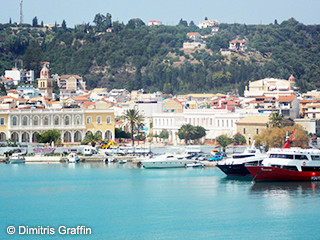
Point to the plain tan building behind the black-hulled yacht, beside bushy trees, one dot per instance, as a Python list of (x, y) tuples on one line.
[(251, 126)]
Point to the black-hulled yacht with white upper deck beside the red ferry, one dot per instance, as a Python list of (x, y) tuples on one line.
[(235, 166)]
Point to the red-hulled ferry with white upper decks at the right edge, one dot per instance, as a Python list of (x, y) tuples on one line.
[(293, 164)]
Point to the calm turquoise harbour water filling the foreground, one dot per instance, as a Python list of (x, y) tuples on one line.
[(126, 202)]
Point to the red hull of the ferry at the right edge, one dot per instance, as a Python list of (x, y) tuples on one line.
[(261, 173)]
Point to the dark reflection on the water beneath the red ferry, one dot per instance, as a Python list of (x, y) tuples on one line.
[(286, 188)]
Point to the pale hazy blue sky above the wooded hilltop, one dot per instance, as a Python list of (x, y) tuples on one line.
[(167, 11)]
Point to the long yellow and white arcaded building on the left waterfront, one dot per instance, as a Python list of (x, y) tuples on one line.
[(21, 125)]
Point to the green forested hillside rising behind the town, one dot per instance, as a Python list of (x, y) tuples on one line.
[(136, 56)]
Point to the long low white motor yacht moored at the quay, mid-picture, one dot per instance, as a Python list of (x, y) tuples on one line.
[(167, 161)]
